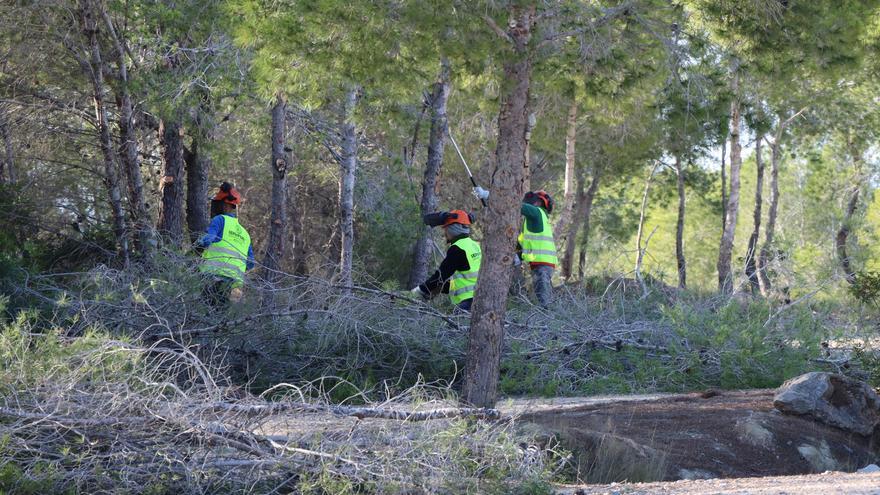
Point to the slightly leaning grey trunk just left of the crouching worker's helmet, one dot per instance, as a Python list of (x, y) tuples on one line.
[(439, 97)]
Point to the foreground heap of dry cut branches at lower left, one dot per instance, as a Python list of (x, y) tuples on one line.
[(105, 416)]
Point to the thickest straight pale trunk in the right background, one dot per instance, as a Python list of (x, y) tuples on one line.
[(725, 251)]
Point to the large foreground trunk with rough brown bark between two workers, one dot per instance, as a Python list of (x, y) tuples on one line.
[(503, 222)]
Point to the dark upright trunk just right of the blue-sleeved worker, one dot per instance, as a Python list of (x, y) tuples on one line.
[(278, 220)]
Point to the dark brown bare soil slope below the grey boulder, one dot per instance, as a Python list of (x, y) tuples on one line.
[(708, 435)]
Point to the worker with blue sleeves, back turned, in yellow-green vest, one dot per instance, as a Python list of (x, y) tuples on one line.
[(227, 251)]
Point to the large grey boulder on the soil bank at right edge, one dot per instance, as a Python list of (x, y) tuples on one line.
[(832, 399)]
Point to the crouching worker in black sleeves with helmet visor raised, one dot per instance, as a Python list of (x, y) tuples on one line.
[(457, 274)]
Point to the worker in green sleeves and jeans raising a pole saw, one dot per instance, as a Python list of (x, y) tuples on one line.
[(536, 243)]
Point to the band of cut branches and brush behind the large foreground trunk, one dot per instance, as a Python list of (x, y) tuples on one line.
[(373, 341)]
